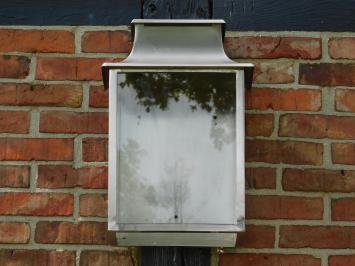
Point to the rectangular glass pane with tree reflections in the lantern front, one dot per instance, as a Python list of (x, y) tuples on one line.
[(176, 148)]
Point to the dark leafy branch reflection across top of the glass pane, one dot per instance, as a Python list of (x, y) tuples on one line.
[(212, 92)]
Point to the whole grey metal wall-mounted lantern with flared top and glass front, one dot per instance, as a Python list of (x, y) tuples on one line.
[(176, 137)]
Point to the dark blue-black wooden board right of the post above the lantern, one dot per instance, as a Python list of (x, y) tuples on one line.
[(279, 15)]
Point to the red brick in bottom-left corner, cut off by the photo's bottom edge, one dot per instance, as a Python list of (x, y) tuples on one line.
[(33, 257)]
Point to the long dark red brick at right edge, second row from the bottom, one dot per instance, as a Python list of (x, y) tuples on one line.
[(304, 236)]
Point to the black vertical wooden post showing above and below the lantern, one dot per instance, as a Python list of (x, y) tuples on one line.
[(176, 9)]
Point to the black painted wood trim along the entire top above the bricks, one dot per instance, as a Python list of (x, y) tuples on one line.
[(266, 15)]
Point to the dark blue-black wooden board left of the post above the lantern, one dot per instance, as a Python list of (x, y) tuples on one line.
[(69, 12)]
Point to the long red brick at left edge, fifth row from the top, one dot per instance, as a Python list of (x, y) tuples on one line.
[(41, 149)]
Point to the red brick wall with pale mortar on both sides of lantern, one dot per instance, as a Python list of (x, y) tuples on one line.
[(300, 203)]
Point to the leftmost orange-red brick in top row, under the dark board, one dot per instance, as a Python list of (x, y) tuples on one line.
[(33, 41)]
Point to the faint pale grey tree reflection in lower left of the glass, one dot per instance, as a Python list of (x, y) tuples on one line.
[(139, 201)]
